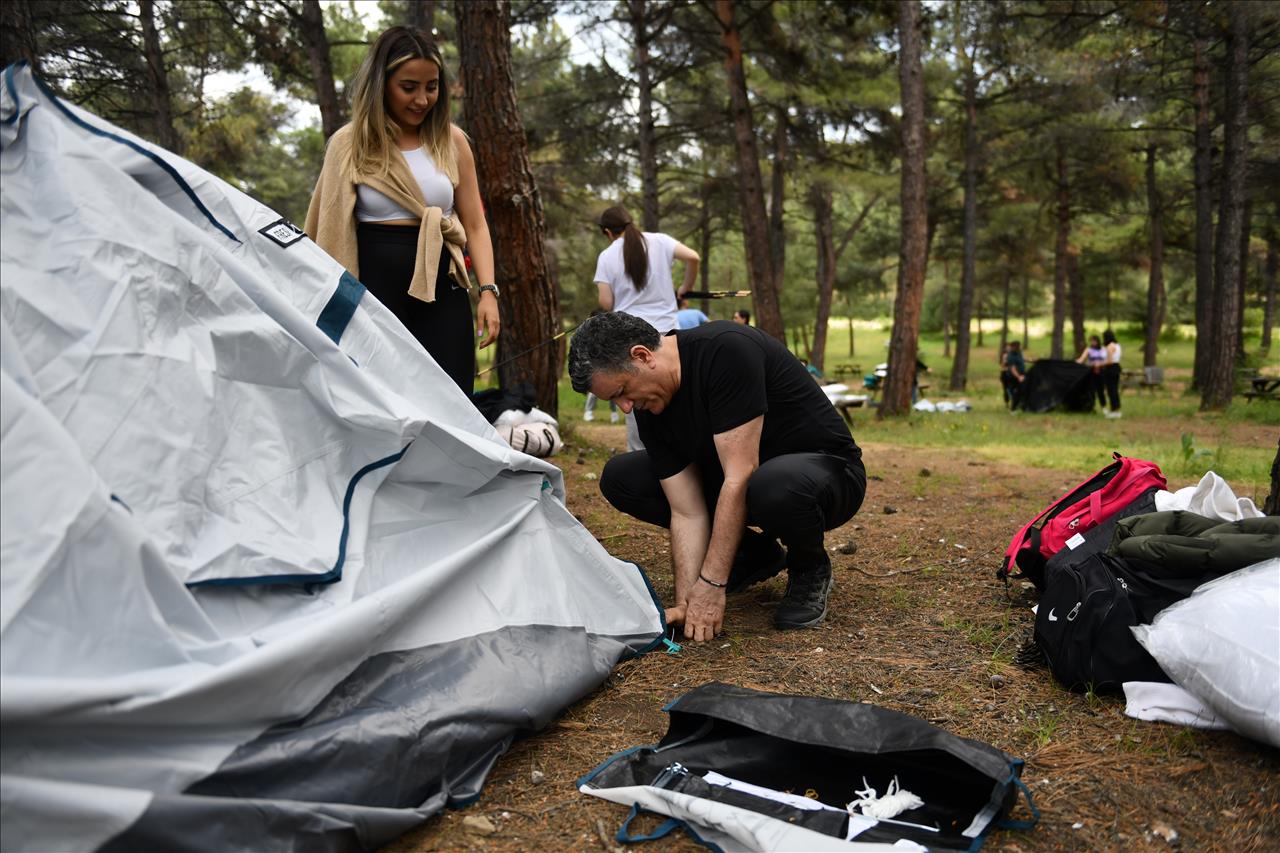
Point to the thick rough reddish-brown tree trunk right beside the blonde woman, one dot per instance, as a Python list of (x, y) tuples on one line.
[(531, 307)]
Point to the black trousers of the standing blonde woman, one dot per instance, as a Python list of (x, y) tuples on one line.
[(444, 327)]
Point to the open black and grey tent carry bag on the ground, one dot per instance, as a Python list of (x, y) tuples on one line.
[(796, 763)]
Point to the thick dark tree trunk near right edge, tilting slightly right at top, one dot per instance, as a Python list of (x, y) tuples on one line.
[(1219, 384)]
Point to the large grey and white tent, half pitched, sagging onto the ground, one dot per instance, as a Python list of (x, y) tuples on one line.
[(269, 580)]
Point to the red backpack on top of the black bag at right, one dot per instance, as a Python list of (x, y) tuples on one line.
[(1082, 509)]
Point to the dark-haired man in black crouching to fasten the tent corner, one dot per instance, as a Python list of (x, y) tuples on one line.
[(737, 436)]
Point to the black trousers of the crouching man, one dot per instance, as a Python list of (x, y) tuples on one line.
[(796, 499)]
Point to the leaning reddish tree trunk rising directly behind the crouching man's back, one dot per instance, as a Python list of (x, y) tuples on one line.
[(756, 231)]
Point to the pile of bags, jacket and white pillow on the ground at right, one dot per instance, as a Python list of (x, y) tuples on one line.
[(1141, 587)]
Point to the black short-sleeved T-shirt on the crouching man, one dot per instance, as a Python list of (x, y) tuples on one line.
[(729, 375)]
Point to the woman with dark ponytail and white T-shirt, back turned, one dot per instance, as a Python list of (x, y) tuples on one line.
[(634, 276)]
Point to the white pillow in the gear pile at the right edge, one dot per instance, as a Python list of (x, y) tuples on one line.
[(1223, 646)]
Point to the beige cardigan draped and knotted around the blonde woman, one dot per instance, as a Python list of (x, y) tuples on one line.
[(332, 217)]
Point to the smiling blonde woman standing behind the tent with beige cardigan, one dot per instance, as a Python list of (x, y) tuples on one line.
[(397, 202)]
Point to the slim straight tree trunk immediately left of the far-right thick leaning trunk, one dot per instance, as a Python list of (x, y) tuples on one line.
[(1204, 171)]
